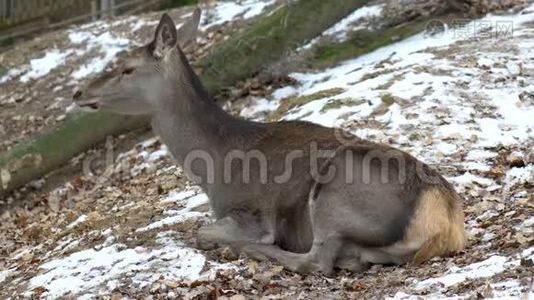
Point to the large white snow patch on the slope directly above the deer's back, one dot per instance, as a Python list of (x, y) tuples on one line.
[(437, 107)]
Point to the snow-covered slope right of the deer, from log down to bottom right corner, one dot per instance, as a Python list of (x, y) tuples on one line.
[(453, 100)]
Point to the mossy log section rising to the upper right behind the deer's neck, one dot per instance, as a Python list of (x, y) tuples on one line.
[(272, 38)]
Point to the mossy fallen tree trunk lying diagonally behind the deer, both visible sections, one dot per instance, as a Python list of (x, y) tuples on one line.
[(243, 55)]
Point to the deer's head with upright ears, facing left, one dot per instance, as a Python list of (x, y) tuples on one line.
[(141, 76)]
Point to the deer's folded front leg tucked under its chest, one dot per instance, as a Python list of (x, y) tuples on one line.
[(228, 230)]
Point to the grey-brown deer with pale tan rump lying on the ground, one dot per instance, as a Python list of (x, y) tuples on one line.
[(295, 192)]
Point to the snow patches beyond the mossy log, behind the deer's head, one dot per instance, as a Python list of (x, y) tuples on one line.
[(98, 37)]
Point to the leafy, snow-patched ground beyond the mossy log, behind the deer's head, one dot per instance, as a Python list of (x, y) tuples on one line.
[(39, 77)]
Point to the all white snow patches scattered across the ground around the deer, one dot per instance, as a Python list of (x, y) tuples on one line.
[(426, 103)]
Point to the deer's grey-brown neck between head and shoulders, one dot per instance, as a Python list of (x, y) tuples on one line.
[(192, 125)]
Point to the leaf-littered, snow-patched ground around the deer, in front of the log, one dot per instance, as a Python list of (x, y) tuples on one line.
[(458, 99)]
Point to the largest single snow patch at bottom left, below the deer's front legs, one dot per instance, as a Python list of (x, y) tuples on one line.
[(89, 270)]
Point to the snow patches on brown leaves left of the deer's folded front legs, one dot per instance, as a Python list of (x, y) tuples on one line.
[(100, 268)]
